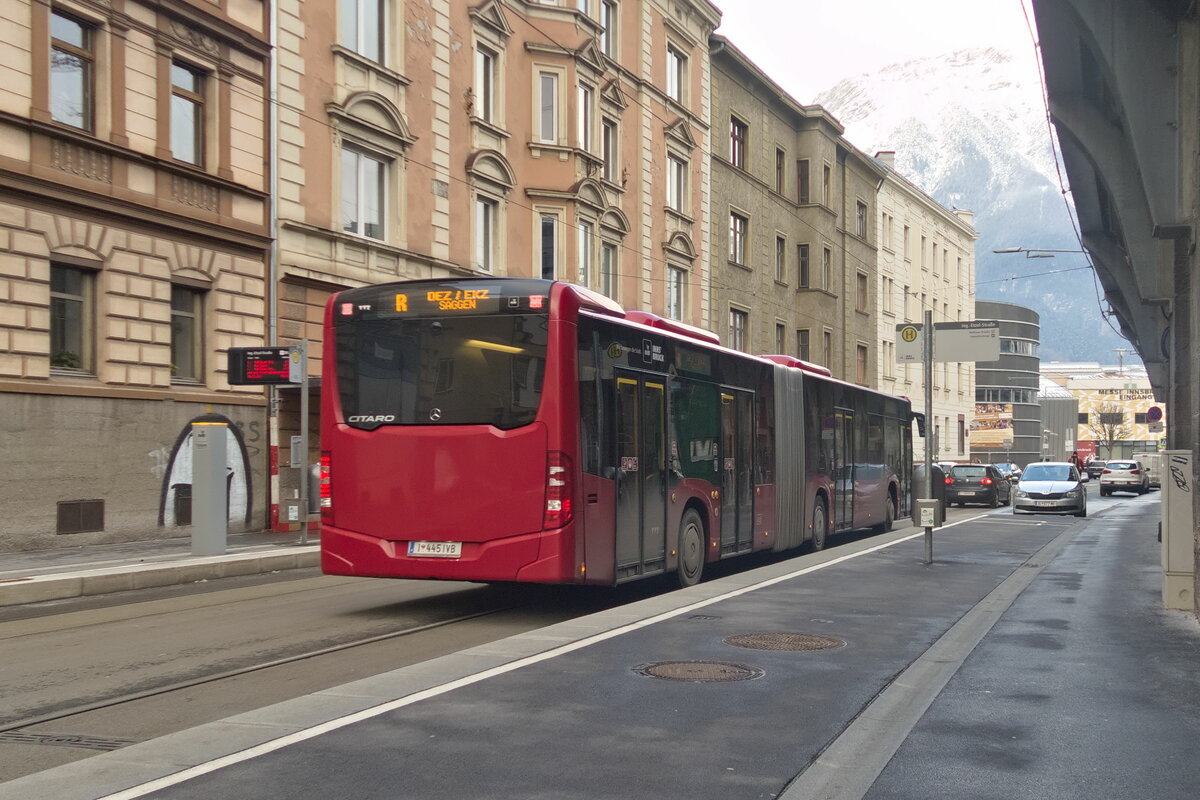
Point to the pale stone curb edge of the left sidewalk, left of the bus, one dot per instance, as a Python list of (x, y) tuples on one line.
[(83, 584)]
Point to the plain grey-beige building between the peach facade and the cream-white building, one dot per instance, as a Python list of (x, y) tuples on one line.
[(794, 242)]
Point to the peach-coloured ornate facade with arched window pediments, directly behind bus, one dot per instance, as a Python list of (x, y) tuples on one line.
[(557, 140)]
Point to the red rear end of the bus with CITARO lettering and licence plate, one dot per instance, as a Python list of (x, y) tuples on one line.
[(436, 460)]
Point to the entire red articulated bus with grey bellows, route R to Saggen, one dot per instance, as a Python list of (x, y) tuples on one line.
[(526, 430)]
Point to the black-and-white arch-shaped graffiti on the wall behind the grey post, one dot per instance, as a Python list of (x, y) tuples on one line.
[(176, 500)]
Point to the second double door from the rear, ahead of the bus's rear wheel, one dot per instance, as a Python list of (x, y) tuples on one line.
[(737, 482)]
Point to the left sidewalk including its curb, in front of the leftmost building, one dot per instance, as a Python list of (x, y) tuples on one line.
[(39, 576)]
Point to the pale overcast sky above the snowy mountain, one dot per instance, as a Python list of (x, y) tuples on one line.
[(808, 46)]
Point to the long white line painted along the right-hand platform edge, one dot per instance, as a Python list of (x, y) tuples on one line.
[(175, 779)]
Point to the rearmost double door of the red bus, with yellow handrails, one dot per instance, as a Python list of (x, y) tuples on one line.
[(641, 477)]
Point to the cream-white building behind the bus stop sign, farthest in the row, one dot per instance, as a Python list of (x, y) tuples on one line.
[(927, 262)]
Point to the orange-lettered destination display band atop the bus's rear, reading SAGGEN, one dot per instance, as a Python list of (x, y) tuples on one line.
[(445, 299)]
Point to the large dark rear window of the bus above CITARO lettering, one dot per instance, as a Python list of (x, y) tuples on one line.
[(472, 370)]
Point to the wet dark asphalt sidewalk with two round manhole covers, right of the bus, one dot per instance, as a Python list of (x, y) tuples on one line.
[(1031, 660)]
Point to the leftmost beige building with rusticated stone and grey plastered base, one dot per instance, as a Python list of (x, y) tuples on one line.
[(134, 239)]
